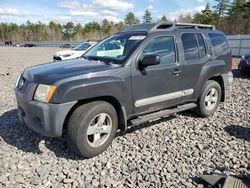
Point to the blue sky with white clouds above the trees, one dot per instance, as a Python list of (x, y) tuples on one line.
[(83, 11)]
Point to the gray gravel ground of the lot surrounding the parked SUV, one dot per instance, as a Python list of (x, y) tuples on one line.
[(167, 153)]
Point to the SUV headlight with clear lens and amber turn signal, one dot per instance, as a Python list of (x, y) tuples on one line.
[(44, 93)]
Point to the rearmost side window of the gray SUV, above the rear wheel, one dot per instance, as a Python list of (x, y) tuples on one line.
[(219, 42)]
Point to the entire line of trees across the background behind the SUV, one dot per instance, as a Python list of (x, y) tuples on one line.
[(229, 17)]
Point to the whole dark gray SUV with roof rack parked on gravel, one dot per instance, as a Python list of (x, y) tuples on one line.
[(143, 73)]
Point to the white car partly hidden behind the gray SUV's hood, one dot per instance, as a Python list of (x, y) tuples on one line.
[(74, 53)]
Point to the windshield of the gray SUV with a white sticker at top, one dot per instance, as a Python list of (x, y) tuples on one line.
[(115, 49)]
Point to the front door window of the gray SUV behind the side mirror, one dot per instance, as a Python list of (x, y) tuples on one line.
[(162, 46)]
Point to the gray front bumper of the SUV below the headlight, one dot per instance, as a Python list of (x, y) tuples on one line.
[(46, 119)]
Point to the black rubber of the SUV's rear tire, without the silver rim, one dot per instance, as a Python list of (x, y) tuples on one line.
[(202, 108)]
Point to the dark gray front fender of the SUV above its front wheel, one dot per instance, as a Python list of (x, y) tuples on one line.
[(96, 85)]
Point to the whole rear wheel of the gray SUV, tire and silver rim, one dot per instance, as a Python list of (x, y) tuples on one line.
[(209, 99)]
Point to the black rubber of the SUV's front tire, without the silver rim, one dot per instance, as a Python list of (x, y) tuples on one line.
[(78, 125)]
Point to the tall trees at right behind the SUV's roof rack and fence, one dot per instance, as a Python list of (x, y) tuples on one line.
[(233, 18)]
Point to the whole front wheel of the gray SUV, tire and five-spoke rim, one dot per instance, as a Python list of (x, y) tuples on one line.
[(92, 128)]
